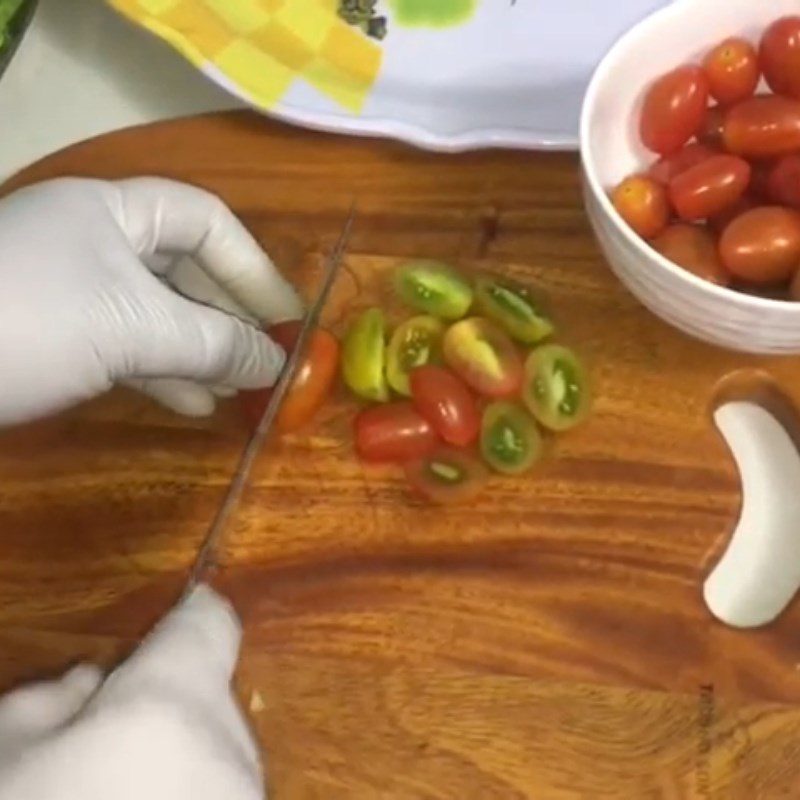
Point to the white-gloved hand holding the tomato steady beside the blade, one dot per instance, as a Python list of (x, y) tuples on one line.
[(84, 300)]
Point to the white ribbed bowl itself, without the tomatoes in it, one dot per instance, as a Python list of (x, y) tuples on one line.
[(610, 150)]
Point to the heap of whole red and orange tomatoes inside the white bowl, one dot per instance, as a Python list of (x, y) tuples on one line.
[(723, 198)]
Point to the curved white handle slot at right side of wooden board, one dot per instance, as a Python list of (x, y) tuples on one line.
[(759, 573)]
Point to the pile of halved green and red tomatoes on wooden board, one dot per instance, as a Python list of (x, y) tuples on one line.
[(464, 386)]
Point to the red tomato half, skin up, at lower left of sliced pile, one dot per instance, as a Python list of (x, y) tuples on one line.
[(392, 432)]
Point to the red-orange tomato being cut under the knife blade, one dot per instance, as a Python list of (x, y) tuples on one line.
[(312, 382)]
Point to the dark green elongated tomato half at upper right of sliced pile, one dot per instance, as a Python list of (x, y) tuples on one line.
[(513, 307)]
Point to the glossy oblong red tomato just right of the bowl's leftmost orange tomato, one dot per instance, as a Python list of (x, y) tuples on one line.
[(709, 187)]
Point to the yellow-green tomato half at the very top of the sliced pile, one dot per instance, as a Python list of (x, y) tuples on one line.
[(435, 288)]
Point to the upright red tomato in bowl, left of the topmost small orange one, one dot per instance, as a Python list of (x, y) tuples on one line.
[(673, 109)]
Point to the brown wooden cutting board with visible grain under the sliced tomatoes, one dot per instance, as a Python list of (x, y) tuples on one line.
[(548, 641)]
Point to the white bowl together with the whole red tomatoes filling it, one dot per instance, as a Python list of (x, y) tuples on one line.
[(690, 150)]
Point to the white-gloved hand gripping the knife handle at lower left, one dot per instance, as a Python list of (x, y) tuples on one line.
[(164, 726)]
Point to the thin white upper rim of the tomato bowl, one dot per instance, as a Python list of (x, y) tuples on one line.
[(599, 77)]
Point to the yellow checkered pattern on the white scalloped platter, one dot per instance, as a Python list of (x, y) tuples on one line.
[(263, 46)]
